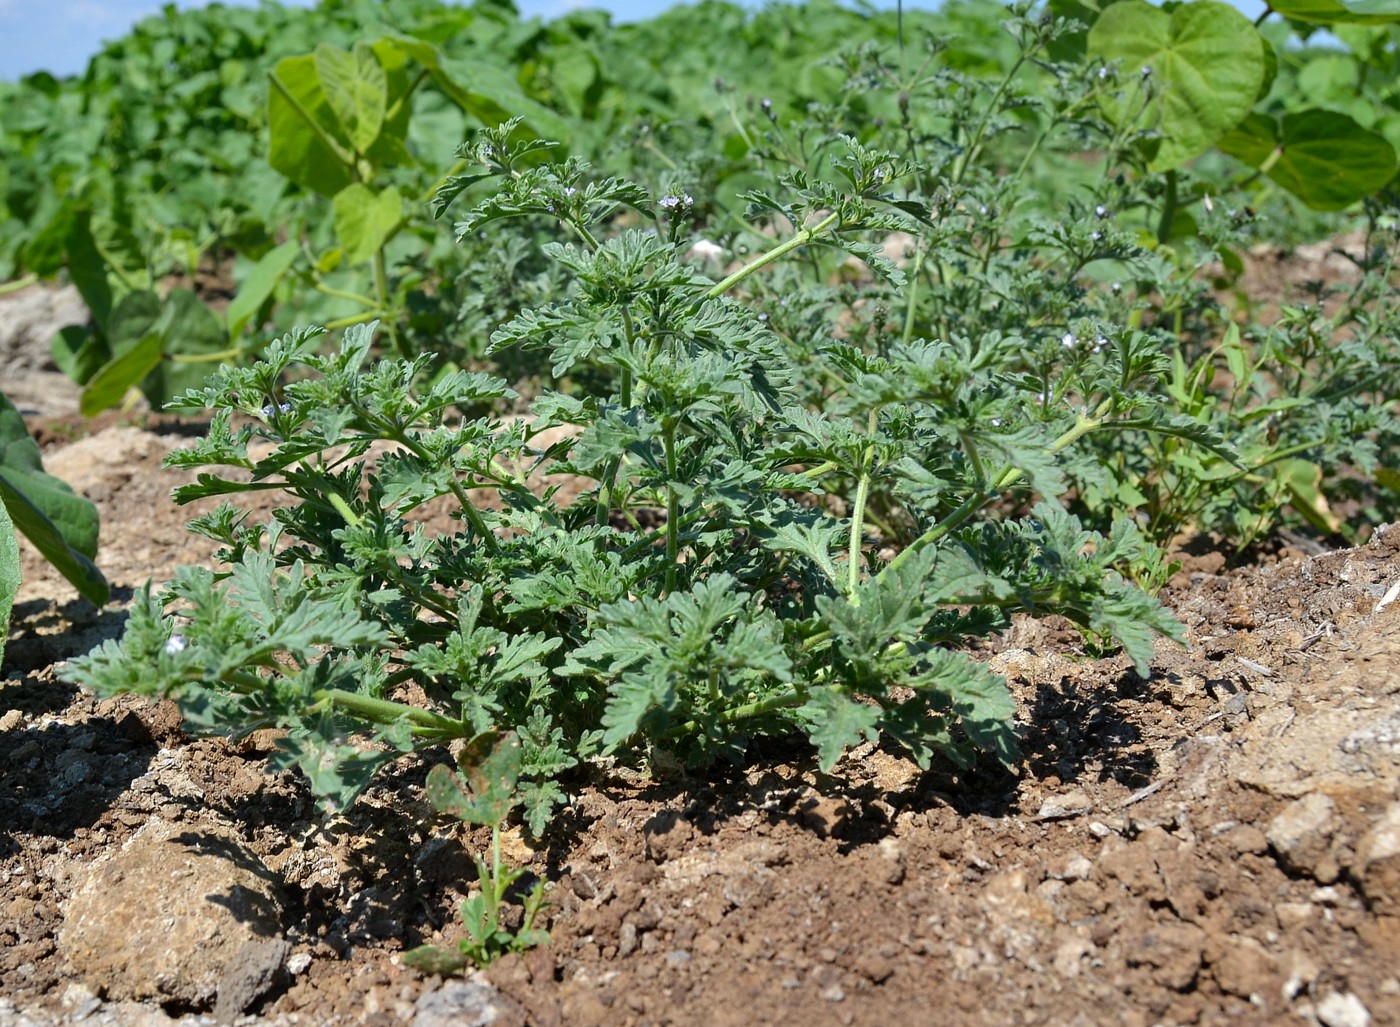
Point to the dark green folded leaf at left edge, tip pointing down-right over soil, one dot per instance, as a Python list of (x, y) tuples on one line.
[(64, 527)]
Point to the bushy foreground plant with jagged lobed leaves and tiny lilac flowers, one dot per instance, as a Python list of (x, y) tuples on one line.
[(688, 601)]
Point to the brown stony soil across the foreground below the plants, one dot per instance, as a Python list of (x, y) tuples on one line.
[(1217, 843)]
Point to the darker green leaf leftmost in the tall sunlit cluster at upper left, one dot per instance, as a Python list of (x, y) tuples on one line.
[(304, 129)]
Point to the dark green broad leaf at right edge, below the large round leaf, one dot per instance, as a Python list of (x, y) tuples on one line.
[(1322, 157)]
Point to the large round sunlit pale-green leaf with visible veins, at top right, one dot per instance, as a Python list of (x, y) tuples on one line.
[(1205, 68)]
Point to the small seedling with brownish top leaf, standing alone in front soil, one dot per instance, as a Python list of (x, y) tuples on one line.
[(492, 766)]
